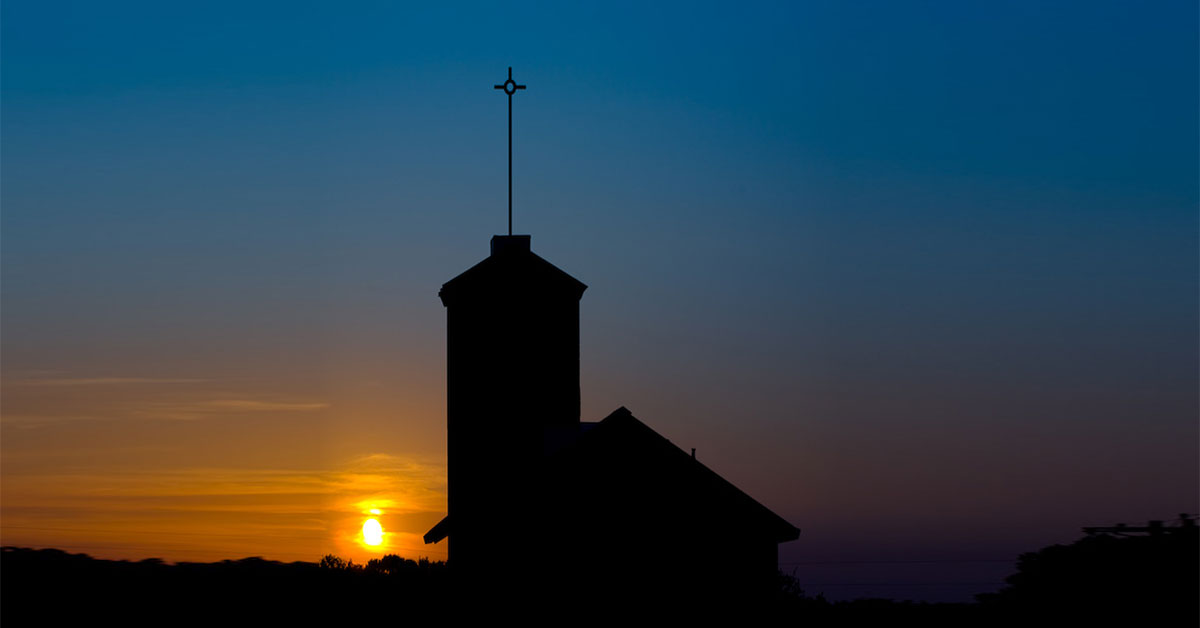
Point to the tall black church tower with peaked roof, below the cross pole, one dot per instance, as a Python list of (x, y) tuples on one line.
[(513, 382)]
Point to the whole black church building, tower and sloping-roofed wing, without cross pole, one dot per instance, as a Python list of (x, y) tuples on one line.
[(567, 512)]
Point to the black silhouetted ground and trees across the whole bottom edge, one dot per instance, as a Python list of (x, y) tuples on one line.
[(1100, 581)]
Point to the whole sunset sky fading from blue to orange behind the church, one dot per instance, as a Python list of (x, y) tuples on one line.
[(922, 278)]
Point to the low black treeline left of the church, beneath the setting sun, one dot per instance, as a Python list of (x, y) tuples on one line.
[(52, 588)]
